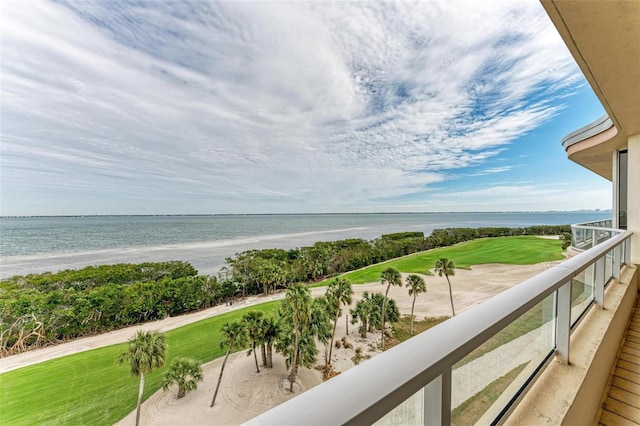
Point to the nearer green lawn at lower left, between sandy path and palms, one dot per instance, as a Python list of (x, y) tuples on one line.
[(91, 388)]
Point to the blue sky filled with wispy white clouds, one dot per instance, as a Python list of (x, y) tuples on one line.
[(169, 107)]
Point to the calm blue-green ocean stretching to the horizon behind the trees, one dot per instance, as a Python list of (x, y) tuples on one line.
[(39, 244)]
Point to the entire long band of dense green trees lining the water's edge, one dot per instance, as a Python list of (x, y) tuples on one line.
[(41, 309)]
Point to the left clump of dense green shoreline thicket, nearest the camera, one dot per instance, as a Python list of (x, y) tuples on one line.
[(40, 309)]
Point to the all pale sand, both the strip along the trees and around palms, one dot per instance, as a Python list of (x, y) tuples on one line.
[(245, 393)]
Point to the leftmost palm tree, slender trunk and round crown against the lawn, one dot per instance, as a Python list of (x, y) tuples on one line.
[(145, 352)]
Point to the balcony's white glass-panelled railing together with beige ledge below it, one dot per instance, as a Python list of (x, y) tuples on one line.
[(542, 349)]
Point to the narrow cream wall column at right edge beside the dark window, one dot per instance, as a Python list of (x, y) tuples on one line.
[(633, 196)]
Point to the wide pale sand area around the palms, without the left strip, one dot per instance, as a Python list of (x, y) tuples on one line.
[(245, 393)]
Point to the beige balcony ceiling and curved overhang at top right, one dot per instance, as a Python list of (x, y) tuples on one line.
[(604, 38)]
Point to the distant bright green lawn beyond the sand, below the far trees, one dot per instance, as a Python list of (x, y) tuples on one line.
[(507, 250)]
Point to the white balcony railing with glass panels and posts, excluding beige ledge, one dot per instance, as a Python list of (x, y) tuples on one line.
[(493, 351)]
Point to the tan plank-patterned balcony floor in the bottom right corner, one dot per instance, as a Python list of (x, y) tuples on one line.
[(622, 403)]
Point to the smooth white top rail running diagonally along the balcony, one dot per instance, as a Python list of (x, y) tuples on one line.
[(366, 393)]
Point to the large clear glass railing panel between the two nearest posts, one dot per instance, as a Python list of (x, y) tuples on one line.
[(486, 380)]
